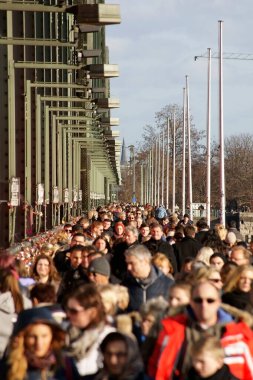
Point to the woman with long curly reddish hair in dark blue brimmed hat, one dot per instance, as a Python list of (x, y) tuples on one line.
[(35, 349)]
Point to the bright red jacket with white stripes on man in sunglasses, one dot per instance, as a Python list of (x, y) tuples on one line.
[(237, 342)]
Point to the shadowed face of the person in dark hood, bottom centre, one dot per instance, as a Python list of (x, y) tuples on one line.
[(115, 357)]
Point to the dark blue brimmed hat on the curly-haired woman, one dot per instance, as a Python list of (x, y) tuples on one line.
[(35, 315)]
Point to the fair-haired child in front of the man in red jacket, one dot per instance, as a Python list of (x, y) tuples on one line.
[(208, 361)]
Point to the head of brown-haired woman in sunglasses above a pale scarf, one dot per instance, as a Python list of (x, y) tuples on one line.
[(84, 307)]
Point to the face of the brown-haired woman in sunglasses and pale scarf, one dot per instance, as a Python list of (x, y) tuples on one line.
[(78, 315)]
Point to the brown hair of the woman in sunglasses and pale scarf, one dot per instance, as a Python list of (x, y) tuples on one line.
[(88, 296)]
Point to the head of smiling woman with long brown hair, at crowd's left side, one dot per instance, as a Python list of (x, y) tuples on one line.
[(44, 271)]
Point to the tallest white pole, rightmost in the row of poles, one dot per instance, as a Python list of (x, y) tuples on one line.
[(221, 129)]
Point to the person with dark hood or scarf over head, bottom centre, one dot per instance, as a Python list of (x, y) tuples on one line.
[(121, 359)]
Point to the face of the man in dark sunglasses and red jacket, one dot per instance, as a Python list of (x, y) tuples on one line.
[(205, 303)]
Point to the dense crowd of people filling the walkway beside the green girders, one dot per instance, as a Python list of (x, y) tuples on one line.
[(129, 292)]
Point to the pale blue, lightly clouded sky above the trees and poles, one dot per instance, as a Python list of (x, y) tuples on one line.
[(155, 46)]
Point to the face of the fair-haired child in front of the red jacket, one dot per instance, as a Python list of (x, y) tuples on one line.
[(206, 364)]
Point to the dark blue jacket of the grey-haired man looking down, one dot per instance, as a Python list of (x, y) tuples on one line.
[(157, 284)]
